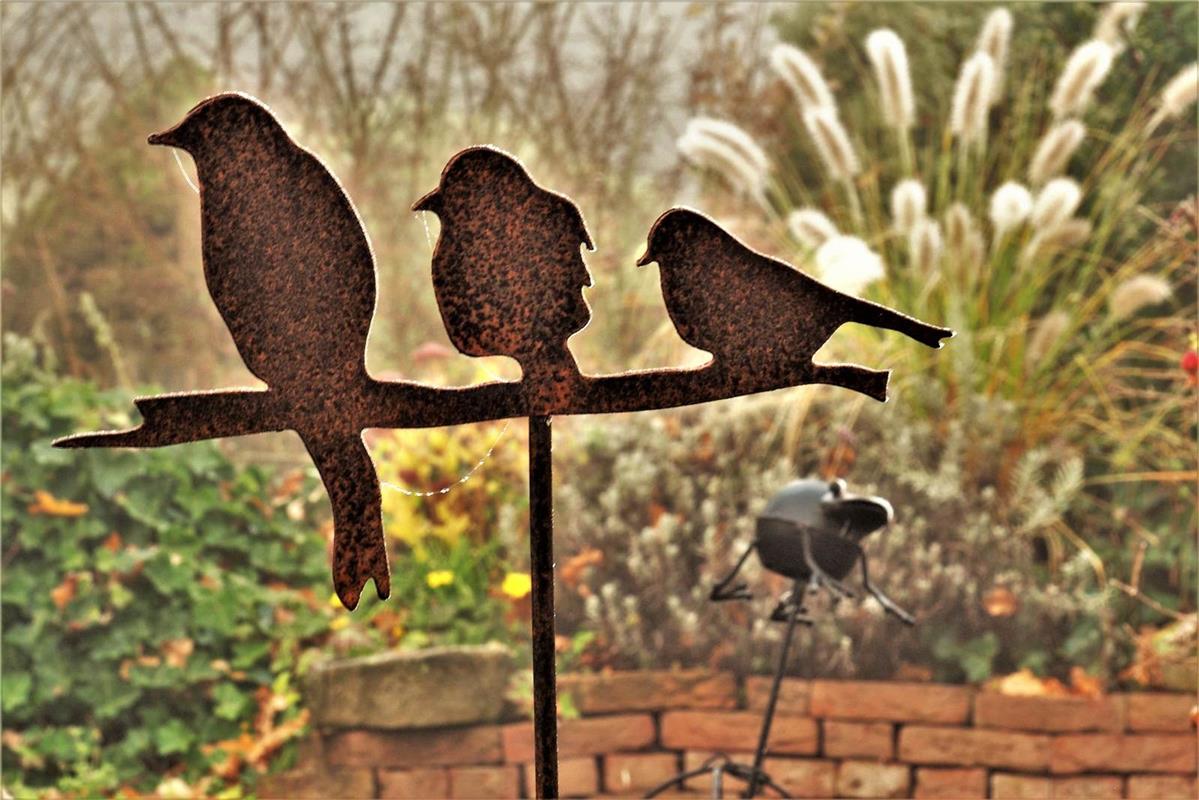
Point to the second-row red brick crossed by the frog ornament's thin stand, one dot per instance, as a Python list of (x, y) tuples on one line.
[(738, 731)]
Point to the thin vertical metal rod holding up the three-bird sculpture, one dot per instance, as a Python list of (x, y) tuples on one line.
[(541, 549)]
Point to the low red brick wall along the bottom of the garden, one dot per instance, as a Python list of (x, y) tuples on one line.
[(830, 739)]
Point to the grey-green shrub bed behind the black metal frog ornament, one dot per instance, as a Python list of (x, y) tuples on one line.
[(666, 504)]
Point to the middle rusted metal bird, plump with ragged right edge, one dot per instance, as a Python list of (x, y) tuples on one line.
[(508, 269)]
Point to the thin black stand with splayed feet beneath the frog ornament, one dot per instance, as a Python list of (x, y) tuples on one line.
[(792, 611)]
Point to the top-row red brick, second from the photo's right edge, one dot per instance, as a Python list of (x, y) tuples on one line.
[(1049, 714)]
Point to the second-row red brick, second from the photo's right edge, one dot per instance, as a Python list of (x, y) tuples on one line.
[(971, 748)]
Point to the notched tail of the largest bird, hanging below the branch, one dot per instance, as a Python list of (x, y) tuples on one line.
[(360, 551)]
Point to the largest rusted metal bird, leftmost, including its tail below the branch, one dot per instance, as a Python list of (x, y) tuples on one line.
[(291, 270)]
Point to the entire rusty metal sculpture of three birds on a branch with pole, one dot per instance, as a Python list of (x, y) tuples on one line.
[(291, 269)]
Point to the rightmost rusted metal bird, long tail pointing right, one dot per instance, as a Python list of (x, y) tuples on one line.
[(748, 309)]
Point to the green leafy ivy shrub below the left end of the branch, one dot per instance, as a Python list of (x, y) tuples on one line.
[(154, 603)]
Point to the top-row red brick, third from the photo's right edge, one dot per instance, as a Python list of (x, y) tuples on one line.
[(890, 701)]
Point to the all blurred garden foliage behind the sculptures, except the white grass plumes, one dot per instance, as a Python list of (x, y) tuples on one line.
[(159, 607)]
